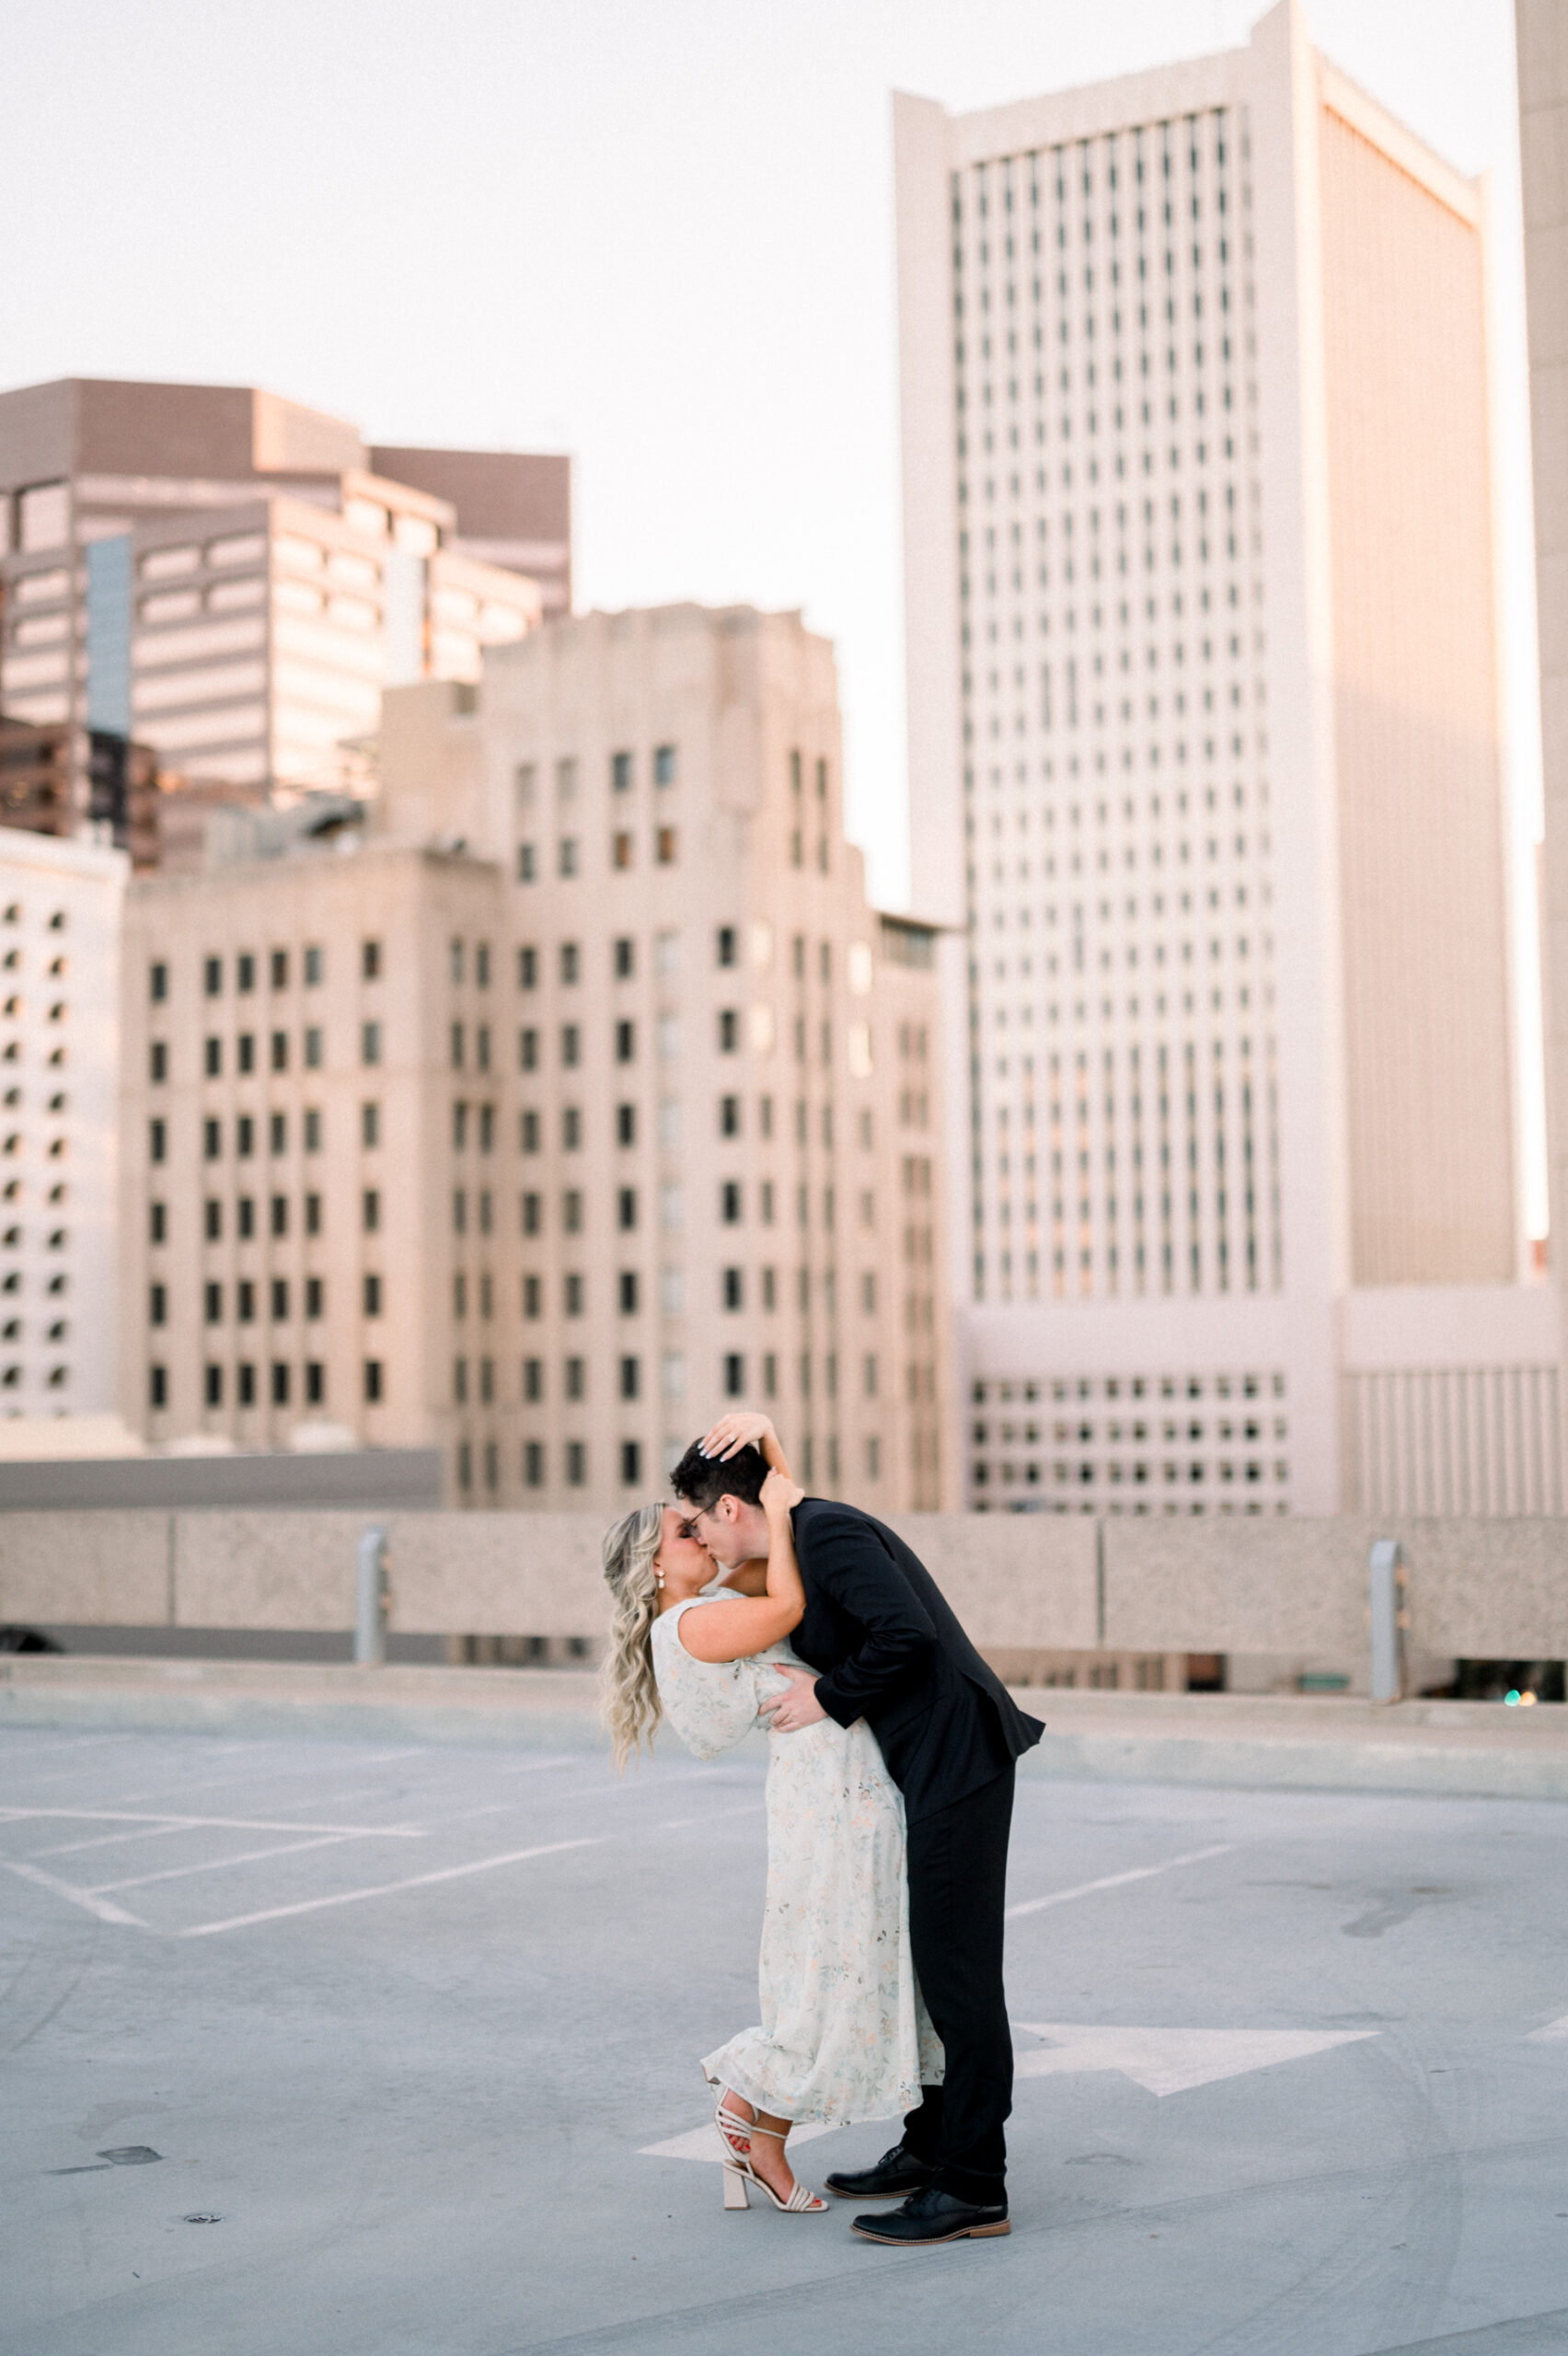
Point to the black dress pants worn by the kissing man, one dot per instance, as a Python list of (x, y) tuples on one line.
[(957, 1893)]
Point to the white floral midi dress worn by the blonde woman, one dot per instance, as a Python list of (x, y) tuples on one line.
[(844, 2030)]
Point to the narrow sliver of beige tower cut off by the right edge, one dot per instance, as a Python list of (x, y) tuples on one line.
[(1543, 140)]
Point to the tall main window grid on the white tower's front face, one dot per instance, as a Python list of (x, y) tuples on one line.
[(1117, 795)]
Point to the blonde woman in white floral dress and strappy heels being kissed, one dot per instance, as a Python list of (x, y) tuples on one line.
[(844, 2034)]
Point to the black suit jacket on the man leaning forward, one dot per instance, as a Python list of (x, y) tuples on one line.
[(889, 1648)]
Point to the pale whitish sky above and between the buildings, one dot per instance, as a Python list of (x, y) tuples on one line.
[(656, 234)]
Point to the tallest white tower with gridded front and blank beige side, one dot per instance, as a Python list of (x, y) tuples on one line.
[(1207, 757)]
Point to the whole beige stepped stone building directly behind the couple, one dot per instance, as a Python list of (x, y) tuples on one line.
[(585, 1097)]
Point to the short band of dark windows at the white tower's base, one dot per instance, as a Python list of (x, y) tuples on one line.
[(1145, 1443)]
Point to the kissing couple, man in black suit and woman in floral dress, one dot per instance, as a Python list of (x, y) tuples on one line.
[(891, 1763)]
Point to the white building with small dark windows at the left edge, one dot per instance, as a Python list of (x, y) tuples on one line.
[(60, 977)]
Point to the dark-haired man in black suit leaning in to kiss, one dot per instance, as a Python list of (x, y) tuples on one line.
[(889, 1648)]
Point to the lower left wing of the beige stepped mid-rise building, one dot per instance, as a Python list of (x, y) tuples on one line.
[(310, 1170)]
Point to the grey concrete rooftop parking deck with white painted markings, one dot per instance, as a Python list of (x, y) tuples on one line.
[(404, 2023)]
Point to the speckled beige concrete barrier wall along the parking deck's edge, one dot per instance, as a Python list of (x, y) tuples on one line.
[(1287, 1587)]
